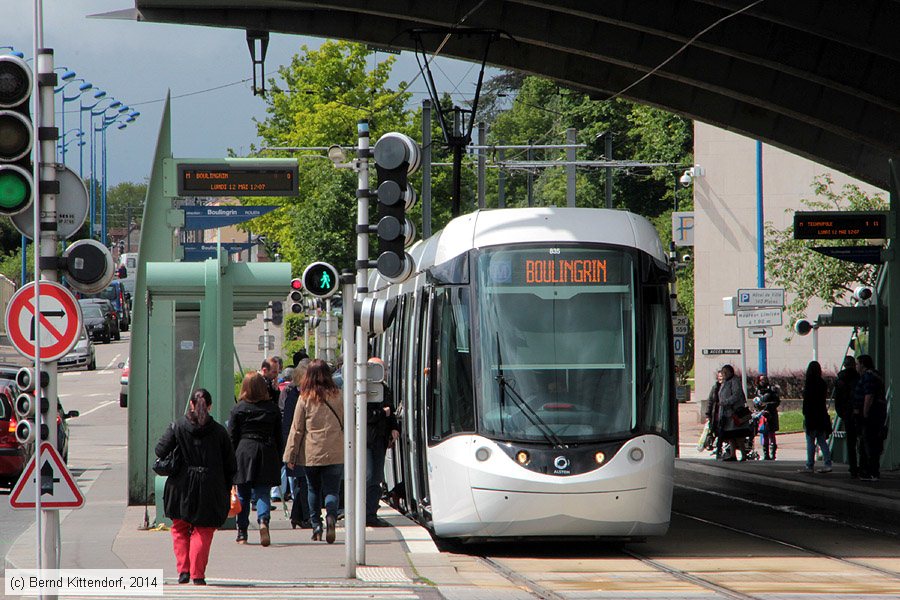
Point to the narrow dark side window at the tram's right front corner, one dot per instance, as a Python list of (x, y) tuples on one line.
[(657, 348)]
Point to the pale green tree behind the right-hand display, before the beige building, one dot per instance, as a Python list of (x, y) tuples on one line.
[(807, 274)]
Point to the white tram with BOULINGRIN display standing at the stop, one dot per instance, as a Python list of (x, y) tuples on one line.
[(531, 362)]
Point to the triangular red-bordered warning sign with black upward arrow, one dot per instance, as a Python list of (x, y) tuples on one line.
[(58, 489)]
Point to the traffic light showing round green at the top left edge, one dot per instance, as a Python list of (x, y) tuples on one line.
[(16, 136)]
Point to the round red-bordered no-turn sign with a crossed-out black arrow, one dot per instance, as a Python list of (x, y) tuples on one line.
[(58, 327)]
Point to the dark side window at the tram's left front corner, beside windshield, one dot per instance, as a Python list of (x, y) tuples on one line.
[(451, 401)]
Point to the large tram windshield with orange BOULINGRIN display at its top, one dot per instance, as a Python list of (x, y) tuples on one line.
[(556, 331)]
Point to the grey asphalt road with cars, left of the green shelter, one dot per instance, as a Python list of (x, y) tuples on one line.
[(95, 394)]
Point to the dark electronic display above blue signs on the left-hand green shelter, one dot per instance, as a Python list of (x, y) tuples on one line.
[(229, 179)]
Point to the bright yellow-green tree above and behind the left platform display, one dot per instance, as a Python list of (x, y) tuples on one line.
[(317, 102)]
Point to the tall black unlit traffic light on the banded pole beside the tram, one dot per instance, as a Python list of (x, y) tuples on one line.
[(396, 157)]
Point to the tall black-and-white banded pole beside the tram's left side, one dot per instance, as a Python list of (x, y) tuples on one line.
[(362, 354)]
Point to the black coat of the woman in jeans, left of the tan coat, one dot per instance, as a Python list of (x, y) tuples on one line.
[(255, 430)]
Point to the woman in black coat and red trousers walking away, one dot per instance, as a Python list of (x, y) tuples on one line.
[(197, 496)]
